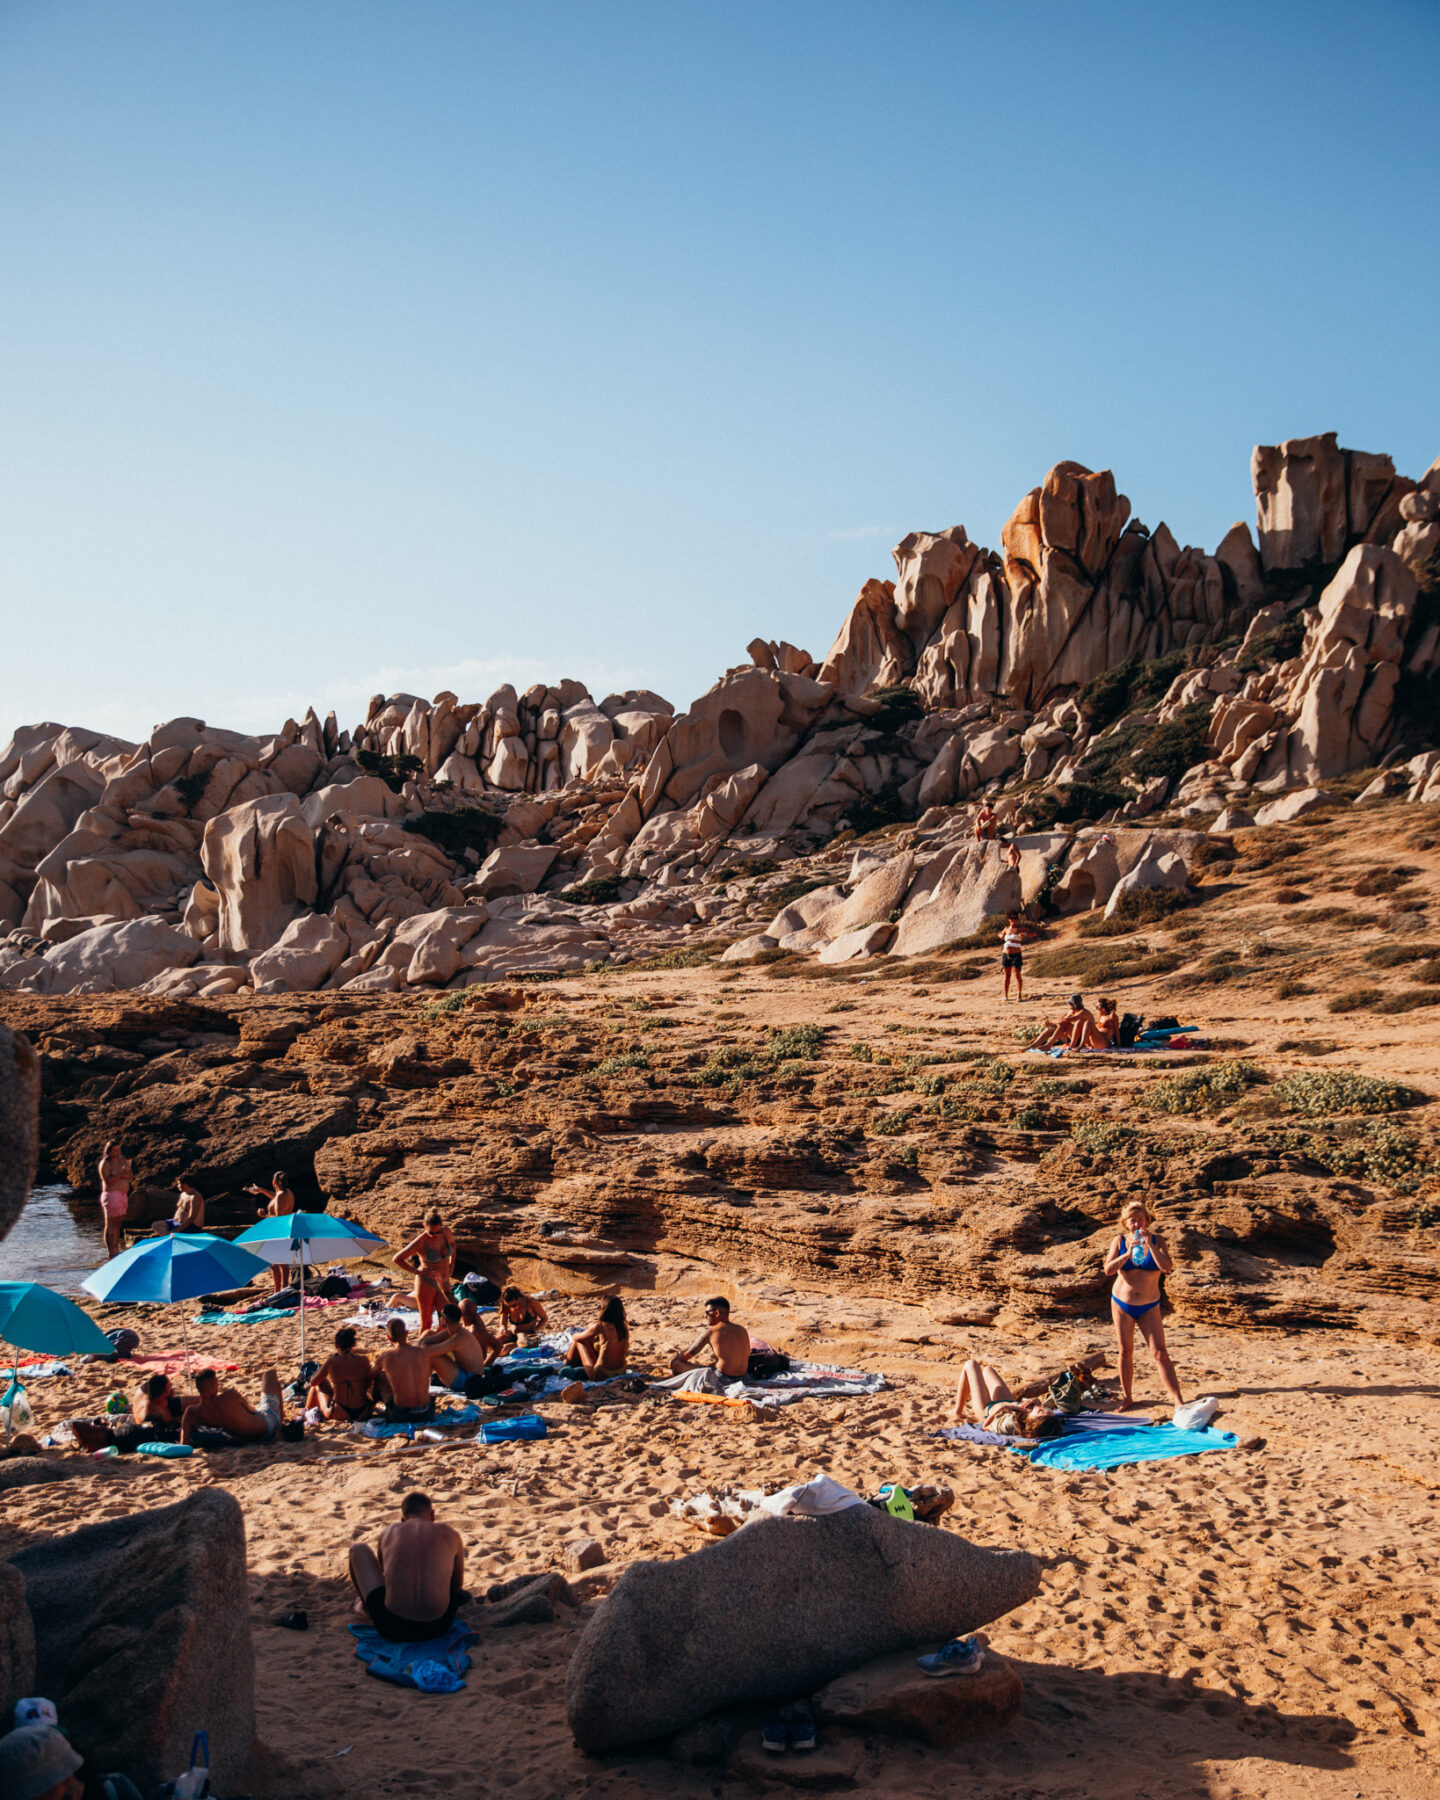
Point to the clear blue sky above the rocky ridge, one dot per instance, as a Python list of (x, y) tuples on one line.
[(354, 346)]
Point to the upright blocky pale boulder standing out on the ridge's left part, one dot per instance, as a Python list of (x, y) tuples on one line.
[(262, 861)]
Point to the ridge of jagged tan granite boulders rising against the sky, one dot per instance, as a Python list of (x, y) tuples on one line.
[(1093, 672)]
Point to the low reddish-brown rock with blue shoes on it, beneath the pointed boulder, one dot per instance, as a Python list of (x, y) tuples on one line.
[(899, 1698)]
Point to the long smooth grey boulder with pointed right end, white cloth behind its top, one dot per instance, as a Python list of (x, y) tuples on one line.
[(773, 1612)]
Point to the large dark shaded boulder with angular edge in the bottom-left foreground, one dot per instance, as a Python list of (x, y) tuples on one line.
[(143, 1639)]
